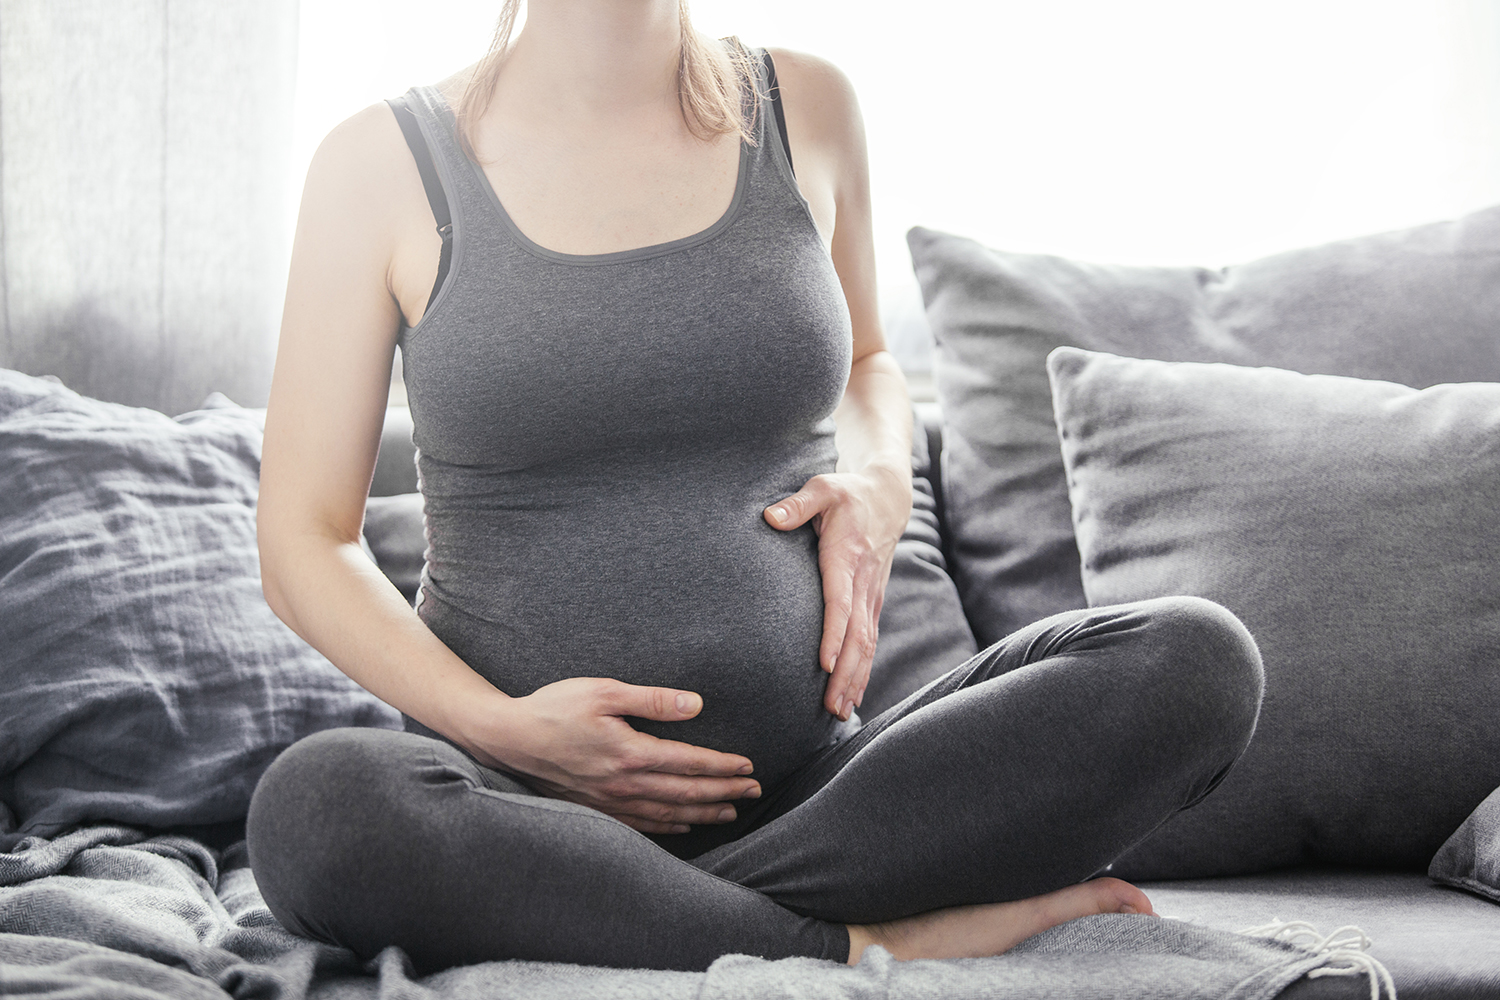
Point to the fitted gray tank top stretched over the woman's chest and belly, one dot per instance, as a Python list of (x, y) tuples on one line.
[(598, 437)]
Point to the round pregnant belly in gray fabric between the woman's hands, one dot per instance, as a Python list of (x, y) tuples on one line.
[(731, 609)]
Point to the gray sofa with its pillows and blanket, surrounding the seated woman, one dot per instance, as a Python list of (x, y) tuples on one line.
[(1312, 440)]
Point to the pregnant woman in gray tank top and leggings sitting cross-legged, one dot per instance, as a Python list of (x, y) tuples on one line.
[(664, 458)]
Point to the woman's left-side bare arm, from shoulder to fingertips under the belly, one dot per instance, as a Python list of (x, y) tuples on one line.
[(364, 209)]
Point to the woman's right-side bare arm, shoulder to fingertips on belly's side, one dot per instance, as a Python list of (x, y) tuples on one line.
[(862, 510)]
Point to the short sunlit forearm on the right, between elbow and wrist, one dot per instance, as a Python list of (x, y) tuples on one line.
[(875, 419)]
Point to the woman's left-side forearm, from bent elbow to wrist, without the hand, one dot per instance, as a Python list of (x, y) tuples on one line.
[(331, 594)]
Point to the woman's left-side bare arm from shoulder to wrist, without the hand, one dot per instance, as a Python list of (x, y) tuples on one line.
[(323, 431)]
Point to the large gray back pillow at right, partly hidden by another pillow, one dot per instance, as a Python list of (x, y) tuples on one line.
[(1418, 307)]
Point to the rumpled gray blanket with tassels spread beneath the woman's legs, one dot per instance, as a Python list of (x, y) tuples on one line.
[(113, 914)]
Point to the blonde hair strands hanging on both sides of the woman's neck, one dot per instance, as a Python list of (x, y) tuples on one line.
[(712, 98)]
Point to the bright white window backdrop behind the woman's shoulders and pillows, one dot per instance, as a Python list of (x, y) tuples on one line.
[(1156, 133)]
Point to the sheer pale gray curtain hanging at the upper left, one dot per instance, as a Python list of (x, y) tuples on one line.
[(145, 199)]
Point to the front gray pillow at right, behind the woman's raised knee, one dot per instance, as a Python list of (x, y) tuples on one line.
[(1352, 527)]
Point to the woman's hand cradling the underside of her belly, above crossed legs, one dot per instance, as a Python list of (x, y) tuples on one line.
[(572, 740)]
